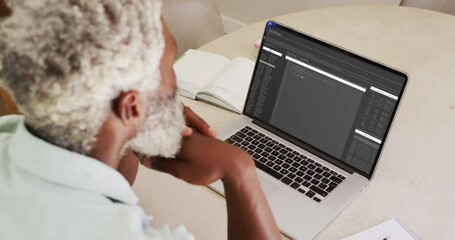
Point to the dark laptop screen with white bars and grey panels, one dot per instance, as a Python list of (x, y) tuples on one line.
[(326, 98)]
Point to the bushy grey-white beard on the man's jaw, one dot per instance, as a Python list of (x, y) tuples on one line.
[(161, 132)]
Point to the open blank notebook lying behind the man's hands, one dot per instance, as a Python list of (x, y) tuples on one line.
[(214, 78)]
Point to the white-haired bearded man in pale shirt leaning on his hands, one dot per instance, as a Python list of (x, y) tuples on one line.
[(94, 81)]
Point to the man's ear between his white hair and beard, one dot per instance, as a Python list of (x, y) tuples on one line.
[(129, 108)]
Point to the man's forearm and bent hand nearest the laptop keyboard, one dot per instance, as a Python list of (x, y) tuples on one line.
[(203, 160)]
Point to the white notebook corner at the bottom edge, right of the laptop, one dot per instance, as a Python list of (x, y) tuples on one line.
[(394, 229)]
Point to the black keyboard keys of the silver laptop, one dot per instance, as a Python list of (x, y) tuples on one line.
[(290, 167)]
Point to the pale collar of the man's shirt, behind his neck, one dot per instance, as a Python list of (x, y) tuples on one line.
[(68, 168)]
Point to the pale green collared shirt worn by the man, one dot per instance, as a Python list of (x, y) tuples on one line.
[(47, 192)]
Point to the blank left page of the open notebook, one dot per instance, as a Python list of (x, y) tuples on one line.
[(195, 69)]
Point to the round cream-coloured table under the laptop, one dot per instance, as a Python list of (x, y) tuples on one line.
[(415, 176)]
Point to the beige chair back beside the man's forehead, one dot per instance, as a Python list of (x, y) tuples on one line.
[(192, 22)]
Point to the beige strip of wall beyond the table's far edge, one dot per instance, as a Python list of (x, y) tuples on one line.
[(237, 13)]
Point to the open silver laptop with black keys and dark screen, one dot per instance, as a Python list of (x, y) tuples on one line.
[(315, 121)]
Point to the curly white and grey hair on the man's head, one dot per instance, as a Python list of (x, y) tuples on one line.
[(65, 61)]
